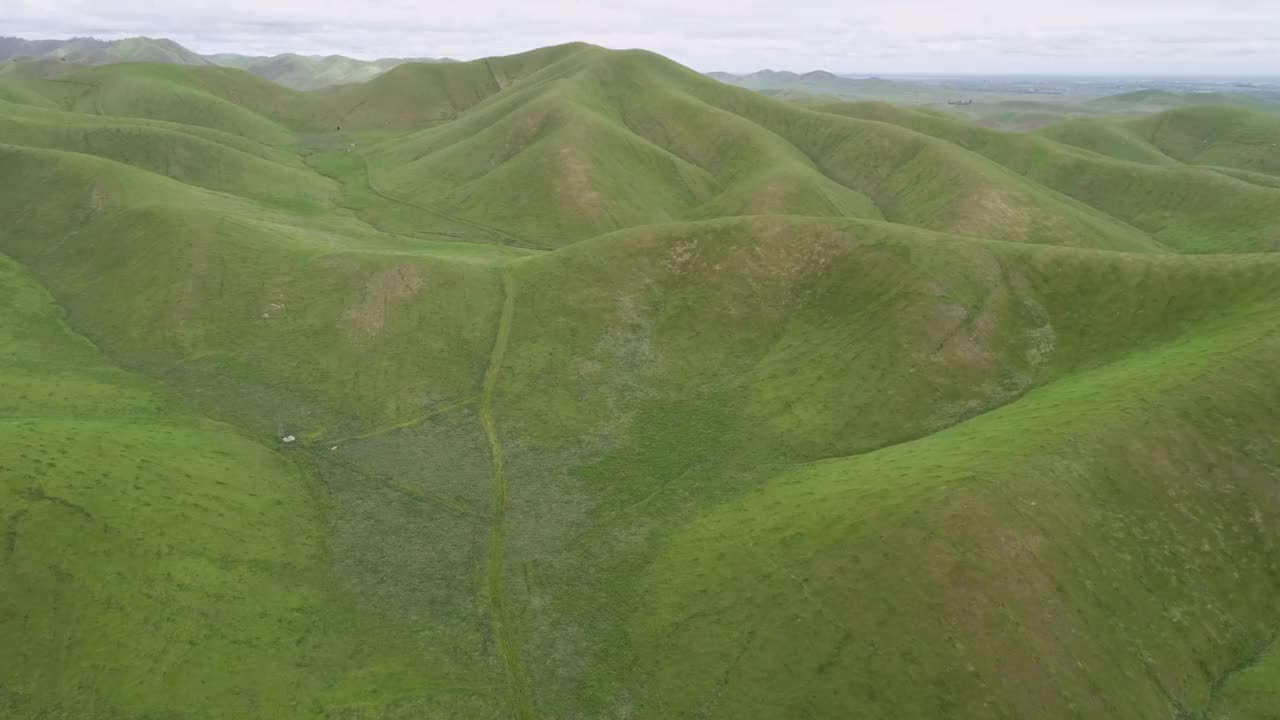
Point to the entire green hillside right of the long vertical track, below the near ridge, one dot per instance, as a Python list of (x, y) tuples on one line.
[(778, 393)]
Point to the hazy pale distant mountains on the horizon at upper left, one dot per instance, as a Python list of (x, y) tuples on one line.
[(300, 72)]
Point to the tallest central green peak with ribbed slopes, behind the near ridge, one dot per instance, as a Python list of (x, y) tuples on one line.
[(668, 144)]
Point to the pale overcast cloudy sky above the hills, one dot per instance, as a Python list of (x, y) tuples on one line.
[(886, 37)]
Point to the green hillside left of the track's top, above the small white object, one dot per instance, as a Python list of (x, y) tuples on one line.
[(299, 304)]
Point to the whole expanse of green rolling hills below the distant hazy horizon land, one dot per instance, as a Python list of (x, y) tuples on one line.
[(616, 391)]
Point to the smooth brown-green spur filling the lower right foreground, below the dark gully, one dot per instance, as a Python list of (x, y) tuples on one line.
[(982, 541)]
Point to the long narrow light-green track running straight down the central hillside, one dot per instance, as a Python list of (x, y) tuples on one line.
[(496, 576)]
